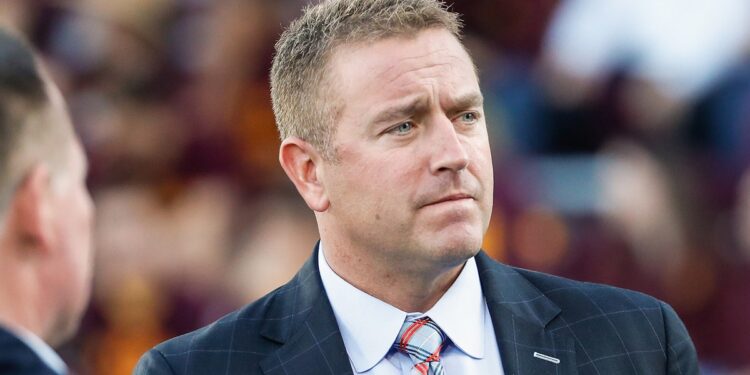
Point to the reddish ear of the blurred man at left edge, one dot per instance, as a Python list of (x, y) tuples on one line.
[(31, 210)]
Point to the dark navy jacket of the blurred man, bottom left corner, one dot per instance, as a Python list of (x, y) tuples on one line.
[(16, 358)]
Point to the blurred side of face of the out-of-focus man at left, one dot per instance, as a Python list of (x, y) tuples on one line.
[(71, 220)]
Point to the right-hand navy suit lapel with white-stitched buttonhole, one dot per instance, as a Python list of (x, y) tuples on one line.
[(520, 316)]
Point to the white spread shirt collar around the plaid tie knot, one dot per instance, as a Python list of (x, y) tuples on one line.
[(369, 326)]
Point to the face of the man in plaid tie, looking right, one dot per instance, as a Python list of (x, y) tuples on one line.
[(413, 177)]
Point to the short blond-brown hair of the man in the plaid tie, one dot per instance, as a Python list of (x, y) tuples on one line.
[(298, 73)]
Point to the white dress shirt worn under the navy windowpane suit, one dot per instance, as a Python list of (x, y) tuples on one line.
[(369, 326)]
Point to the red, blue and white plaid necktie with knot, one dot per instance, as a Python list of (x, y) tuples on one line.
[(422, 340)]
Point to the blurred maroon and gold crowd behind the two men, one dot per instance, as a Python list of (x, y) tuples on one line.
[(620, 133)]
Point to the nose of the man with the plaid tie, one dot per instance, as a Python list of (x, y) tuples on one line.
[(449, 153)]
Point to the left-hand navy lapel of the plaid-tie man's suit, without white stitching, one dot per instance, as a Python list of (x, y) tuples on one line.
[(301, 319)]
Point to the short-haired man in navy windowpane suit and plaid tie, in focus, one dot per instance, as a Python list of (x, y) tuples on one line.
[(384, 137)]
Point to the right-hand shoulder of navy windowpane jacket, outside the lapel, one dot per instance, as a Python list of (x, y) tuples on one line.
[(612, 325)]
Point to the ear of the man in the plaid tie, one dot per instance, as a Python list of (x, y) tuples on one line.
[(301, 161)]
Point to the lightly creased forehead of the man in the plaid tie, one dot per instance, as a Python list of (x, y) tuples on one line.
[(398, 66)]
